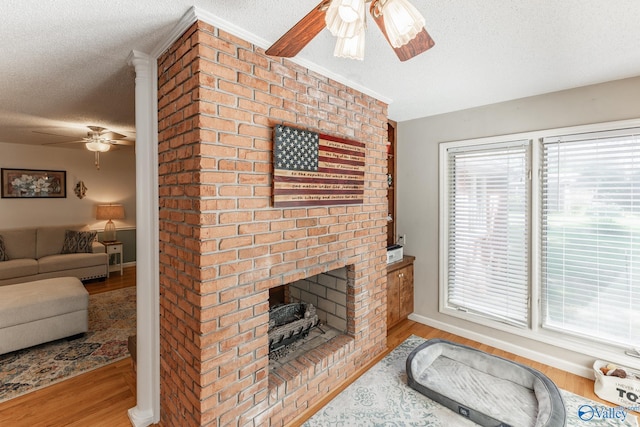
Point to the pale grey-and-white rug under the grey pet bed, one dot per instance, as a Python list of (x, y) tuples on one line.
[(381, 397)]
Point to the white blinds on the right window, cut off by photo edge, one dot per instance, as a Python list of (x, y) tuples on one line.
[(591, 235)]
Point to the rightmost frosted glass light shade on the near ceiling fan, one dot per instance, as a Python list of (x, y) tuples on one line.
[(402, 21)]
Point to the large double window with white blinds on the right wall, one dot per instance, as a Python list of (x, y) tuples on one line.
[(584, 248)]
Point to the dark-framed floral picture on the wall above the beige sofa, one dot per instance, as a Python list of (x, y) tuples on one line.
[(33, 183)]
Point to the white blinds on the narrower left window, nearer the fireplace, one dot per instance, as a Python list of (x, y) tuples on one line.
[(488, 194)]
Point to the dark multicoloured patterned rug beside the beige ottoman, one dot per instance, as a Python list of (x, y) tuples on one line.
[(112, 318)]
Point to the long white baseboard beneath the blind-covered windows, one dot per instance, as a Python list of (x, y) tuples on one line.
[(556, 362)]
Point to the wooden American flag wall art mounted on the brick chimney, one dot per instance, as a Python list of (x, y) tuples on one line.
[(313, 169)]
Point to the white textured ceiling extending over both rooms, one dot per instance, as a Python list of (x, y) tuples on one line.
[(64, 63)]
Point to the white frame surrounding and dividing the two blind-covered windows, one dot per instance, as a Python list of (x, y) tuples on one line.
[(534, 330)]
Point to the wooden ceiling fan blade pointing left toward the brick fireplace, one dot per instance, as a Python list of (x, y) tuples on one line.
[(294, 40)]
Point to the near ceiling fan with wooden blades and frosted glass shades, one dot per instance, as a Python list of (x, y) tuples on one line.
[(400, 23)]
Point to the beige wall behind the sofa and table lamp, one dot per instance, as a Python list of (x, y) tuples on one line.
[(113, 183)]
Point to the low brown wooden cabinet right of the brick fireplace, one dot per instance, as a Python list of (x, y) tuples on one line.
[(399, 290)]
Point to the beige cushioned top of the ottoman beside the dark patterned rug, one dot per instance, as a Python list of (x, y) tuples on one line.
[(26, 302)]
